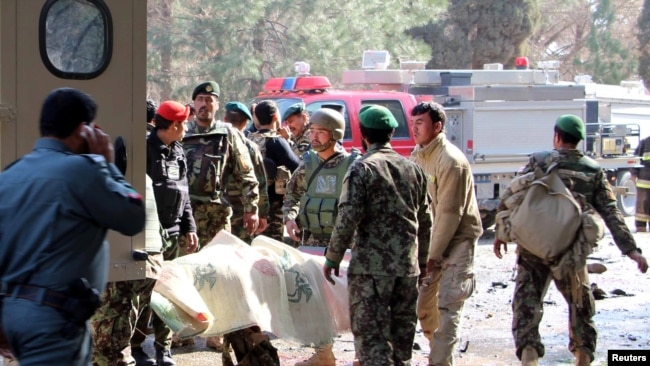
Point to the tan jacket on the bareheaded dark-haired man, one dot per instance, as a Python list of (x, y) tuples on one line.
[(456, 217)]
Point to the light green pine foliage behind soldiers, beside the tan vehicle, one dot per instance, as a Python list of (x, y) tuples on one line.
[(242, 43)]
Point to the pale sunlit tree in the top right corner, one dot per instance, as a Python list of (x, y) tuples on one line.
[(595, 37)]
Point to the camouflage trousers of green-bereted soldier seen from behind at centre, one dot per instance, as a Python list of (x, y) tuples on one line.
[(383, 318)]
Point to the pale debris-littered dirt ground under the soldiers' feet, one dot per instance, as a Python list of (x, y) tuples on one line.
[(622, 321)]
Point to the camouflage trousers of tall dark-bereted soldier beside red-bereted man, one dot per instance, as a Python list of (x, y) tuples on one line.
[(210, 218)]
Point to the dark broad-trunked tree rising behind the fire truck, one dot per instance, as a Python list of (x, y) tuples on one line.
[(472, 33)]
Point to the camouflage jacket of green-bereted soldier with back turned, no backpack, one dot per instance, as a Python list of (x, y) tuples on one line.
[(385, 201)]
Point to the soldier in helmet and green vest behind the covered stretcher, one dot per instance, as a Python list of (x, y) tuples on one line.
[(314, 189)]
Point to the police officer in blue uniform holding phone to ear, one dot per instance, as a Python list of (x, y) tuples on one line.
[(56, 205)]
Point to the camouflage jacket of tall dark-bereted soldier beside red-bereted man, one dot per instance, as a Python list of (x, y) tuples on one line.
[(236, 163)]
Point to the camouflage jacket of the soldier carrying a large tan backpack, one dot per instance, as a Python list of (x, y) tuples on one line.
[(584, 176)]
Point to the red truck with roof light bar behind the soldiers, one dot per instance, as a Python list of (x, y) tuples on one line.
[(317, 91)]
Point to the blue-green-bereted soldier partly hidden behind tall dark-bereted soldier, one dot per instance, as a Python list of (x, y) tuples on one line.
[(238, 115)]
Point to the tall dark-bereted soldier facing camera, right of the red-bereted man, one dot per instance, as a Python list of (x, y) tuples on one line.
[(215, 150)]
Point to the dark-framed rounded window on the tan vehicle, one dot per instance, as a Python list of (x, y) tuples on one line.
[(75, 38)]
